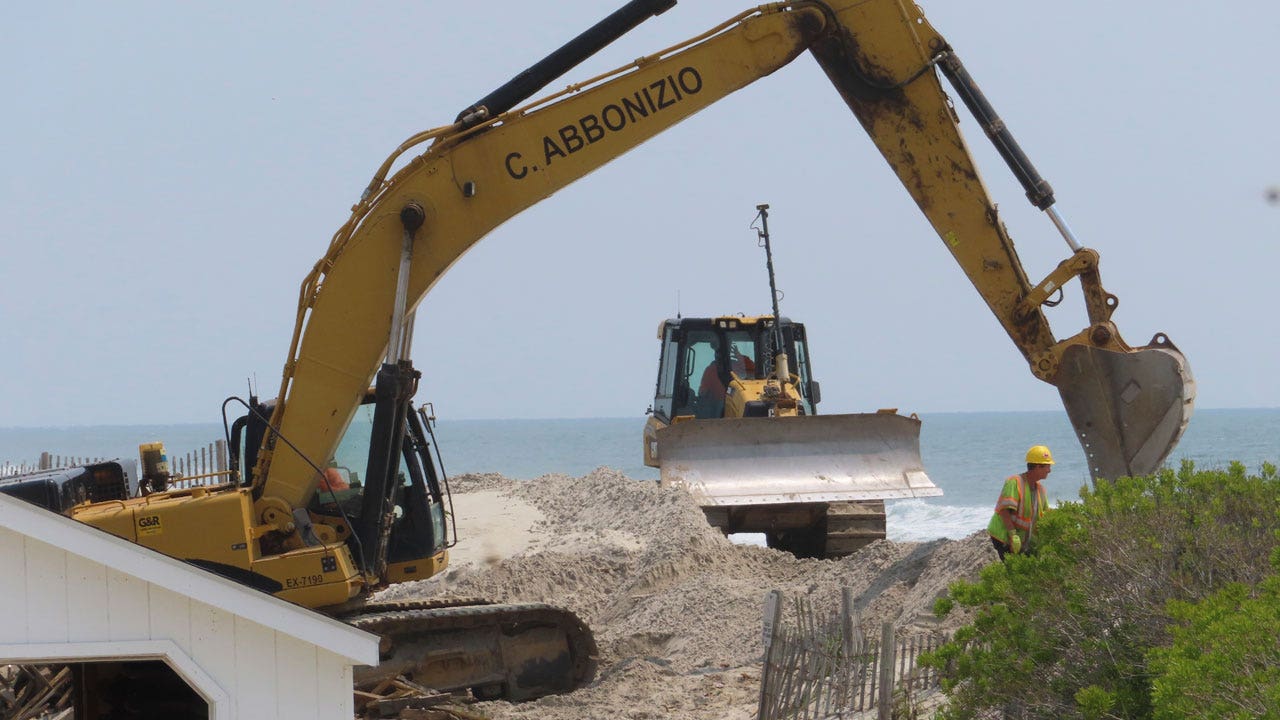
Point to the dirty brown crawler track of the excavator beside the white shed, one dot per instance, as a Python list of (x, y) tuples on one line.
[(513, 651)]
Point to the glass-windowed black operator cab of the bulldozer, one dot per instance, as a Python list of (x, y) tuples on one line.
[(702, 356)]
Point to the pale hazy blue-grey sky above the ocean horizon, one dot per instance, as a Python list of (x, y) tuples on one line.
[(171, 174)]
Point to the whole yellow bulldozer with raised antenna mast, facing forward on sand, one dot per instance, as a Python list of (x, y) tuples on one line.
[(735, 422)]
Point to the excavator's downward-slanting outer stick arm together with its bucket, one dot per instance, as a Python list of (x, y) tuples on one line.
[(1128, 405)]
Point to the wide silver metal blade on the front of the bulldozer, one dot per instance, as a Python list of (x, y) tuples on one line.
[(804, 459)]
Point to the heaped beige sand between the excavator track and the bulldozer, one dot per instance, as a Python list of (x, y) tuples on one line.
[(676, 607)]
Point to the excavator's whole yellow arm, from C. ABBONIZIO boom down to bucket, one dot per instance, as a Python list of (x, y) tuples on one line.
[(492, 163)]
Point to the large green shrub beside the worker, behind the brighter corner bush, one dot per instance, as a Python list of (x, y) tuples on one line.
[(1071, 631)]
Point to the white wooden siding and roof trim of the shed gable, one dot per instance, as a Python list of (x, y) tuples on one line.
[(76, 607)]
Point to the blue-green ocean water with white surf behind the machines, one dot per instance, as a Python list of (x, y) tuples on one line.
[(966, 454)]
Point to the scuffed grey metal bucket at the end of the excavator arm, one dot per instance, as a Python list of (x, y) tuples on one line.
[(1128, 409)]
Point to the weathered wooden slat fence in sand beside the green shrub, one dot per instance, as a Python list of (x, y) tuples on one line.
[(820, 666)]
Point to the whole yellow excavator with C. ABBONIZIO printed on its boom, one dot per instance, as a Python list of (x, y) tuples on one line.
[(284, 526)]
